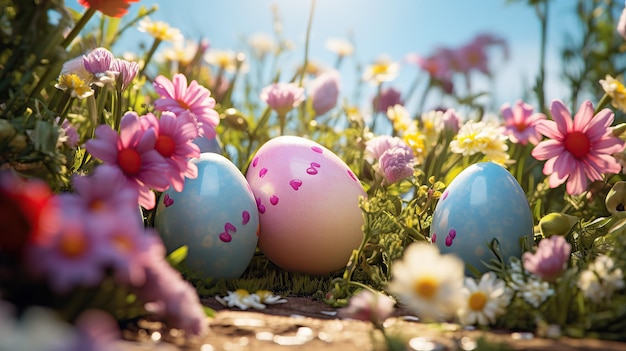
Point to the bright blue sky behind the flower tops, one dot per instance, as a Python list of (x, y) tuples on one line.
[(393, 27)]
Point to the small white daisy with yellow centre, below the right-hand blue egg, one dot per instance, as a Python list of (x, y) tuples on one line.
[(485, 301)]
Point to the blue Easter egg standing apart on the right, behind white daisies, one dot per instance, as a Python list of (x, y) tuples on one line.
[(484, 202)]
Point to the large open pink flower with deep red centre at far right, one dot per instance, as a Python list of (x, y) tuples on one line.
[(578, 150)]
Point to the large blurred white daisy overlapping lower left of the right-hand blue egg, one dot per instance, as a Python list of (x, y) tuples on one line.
[(428, 282)]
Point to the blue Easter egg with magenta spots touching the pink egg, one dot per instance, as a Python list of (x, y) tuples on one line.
[(215, 215)]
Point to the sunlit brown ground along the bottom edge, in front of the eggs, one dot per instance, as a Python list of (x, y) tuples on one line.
[(304, 324)]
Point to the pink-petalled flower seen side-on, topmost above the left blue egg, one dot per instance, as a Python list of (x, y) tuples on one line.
[(177, 97)]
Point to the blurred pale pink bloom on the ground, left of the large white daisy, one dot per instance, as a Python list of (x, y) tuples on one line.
[(367, 306)]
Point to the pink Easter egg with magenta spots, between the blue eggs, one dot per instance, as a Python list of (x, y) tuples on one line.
[(308, 204)]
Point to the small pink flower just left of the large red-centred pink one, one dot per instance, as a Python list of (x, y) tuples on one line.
[(520, 122)]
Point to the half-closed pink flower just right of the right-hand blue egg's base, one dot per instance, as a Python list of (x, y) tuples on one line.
[(550, 259)]
